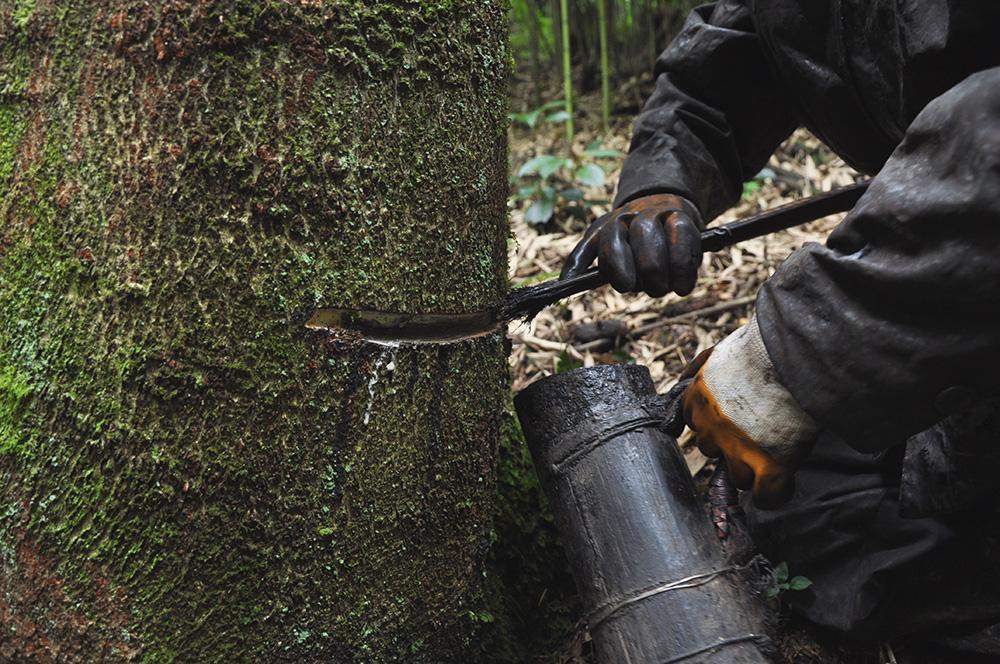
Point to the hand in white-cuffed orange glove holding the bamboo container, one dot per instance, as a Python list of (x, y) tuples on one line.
[(737, 408)]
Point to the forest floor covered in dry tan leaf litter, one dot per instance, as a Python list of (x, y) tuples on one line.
[(662, 334)]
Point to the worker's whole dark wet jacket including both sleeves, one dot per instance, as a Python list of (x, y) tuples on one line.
[(894, 324)]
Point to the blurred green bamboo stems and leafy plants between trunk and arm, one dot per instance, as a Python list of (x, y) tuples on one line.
[(599, 51)]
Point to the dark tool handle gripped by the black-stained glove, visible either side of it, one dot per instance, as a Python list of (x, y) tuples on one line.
[(530, 300)]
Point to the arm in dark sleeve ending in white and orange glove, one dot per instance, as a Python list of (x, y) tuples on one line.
[(889, 328)]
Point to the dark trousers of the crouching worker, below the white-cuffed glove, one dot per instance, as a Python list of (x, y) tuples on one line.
[(875, 573)]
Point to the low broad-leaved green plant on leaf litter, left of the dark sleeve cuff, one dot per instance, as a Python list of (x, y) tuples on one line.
[(551, 182)]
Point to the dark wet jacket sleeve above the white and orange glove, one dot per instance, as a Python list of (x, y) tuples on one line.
[(895, 323)]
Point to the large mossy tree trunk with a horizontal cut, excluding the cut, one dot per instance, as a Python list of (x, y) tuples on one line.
[(187, 473)]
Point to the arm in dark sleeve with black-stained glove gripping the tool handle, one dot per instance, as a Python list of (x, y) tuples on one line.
[(715, 117)]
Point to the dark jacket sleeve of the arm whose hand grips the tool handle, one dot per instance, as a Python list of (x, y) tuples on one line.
[(715, 117)]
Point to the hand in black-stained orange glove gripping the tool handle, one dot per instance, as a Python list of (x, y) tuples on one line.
[(651, 244)]
